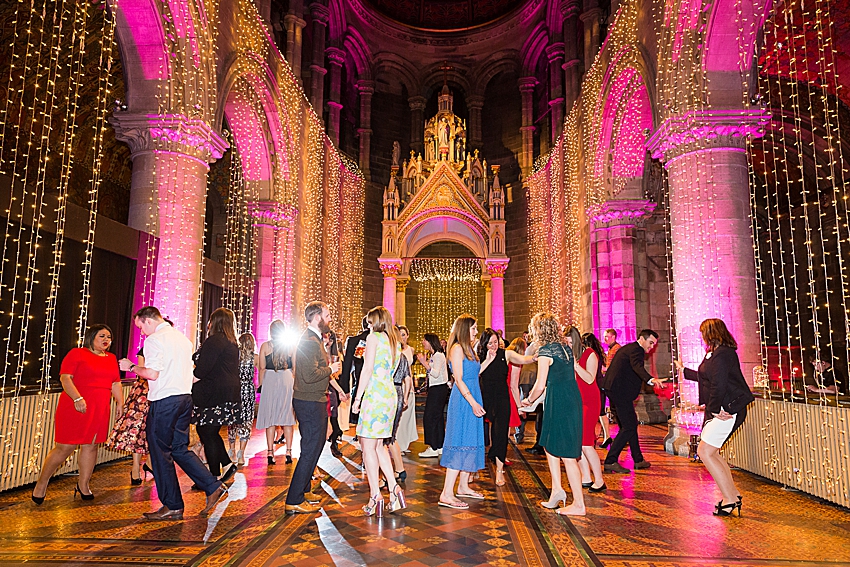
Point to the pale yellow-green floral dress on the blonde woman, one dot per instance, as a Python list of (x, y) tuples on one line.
[(380, 400)]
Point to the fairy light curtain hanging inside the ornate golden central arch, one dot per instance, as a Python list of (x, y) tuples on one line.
[(448, 287)]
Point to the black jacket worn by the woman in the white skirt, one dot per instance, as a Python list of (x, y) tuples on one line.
[(721, 382)]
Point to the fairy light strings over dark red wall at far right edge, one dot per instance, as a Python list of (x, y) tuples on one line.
[(800, 201)]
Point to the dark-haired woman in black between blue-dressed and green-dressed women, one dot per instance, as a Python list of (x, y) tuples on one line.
[(496, 395)]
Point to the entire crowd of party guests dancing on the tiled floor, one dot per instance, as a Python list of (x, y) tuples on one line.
[(478, 390)]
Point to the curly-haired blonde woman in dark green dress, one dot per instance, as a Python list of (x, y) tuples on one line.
[(561, 433)]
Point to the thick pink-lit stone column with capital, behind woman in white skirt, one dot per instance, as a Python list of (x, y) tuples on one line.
[(712, 241)]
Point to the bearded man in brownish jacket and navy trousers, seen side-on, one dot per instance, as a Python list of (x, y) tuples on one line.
[(310, 402)]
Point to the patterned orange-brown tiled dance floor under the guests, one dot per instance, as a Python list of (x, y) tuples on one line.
[(660, 517)]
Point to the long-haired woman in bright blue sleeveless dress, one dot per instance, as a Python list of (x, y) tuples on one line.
[(463, 448)]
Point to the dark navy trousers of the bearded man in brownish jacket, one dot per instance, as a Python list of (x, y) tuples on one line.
[(313, 425)]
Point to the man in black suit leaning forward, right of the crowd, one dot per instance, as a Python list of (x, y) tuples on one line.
[(622, 384)]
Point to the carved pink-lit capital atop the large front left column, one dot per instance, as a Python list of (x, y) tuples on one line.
[(170, 132)]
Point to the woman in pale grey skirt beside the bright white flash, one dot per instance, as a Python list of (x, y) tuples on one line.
[(276, 382)]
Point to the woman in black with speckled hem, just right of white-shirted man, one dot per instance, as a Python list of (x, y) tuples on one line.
[(216, 391)]
